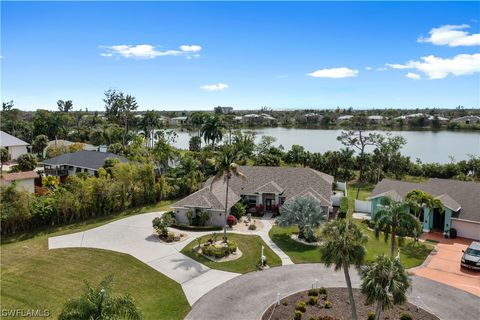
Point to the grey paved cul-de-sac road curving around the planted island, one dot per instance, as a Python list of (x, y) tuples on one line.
[(248, 296)]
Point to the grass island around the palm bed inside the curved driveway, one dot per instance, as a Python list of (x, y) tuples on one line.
[(250, 246)]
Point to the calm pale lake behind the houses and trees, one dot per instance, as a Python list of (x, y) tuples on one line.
[(428, 146)]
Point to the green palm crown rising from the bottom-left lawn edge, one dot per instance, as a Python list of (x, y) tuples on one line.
[(99, 304)]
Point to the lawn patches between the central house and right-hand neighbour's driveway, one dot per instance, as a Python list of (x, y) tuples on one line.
[(410, 255)]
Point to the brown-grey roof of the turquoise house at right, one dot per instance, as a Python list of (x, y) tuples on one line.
[(452, 193)]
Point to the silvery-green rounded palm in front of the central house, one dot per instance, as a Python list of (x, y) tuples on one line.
[(304, 212)]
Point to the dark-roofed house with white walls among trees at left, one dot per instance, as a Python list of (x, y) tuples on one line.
[(77, 162)]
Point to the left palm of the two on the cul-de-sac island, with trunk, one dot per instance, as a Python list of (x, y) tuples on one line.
[(343, 245)]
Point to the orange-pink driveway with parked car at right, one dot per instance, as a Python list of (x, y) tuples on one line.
[(443, 265)]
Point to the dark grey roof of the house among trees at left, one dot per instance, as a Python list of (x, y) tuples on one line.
[(84, 159)]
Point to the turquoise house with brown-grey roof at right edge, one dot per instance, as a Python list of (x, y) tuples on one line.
[(460, 199)]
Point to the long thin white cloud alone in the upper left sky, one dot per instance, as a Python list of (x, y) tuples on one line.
[(147, 51)]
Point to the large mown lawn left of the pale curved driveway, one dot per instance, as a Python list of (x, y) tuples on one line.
[(33, 277)]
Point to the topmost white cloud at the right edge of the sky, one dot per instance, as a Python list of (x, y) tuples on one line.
[(452, 36)]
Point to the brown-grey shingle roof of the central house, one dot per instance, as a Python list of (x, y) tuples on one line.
[(289, 182)]
